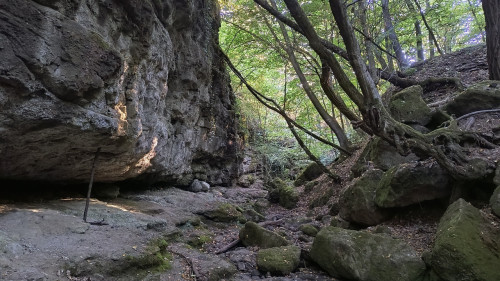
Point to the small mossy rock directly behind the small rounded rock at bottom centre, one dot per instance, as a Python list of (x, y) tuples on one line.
[(253, 234)]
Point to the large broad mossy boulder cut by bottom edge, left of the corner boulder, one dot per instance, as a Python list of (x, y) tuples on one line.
[(357, 255)]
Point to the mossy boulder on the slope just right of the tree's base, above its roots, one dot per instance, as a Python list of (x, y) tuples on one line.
[(407, 106)]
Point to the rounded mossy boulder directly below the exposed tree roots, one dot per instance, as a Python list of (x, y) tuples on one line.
[(412, 183)]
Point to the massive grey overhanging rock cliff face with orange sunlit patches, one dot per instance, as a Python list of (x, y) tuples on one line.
[(139, 78)]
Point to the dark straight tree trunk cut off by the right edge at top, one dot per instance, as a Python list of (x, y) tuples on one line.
[(492, 16)]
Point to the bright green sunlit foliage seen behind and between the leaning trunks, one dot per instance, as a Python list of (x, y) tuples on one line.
[(253, 40)]
